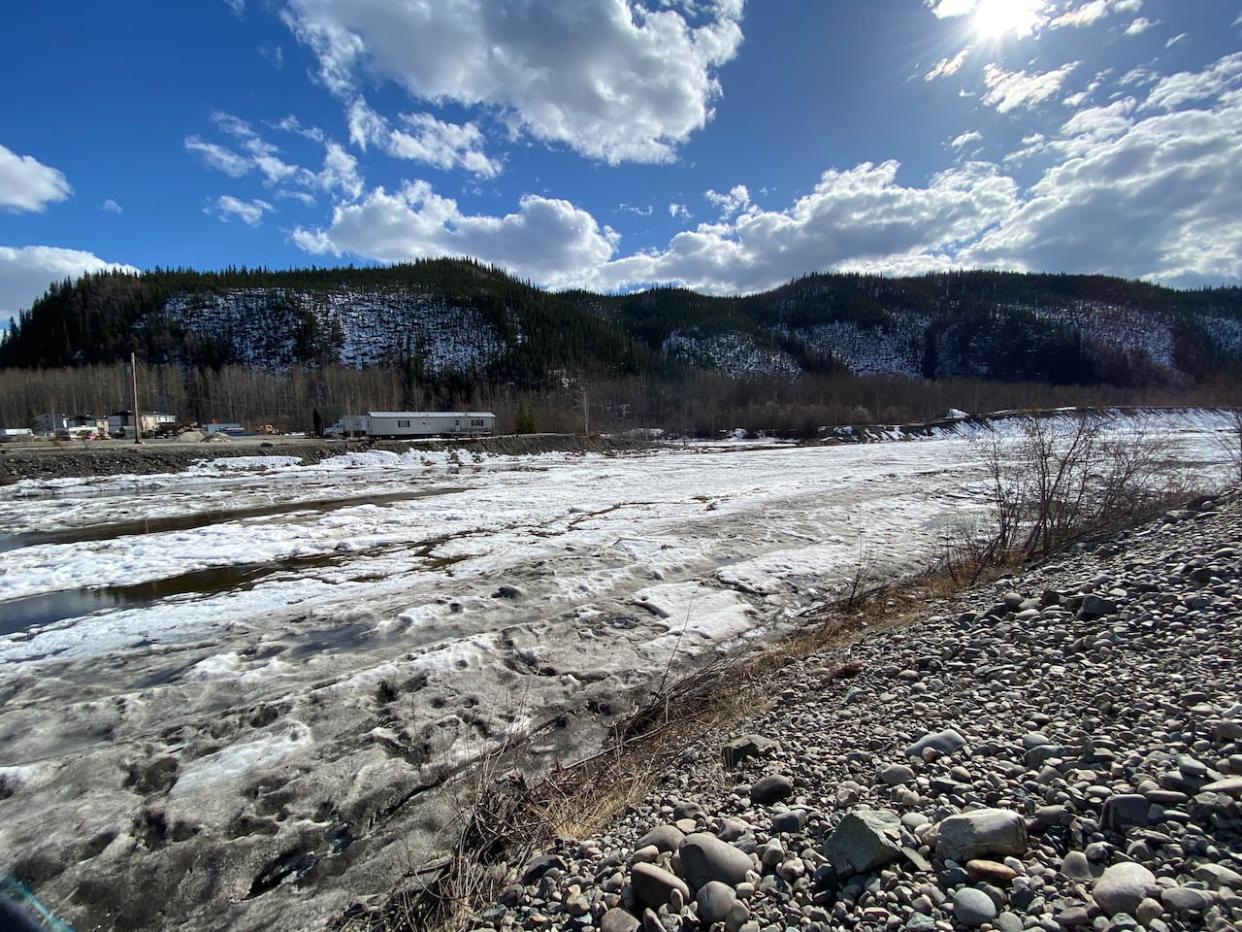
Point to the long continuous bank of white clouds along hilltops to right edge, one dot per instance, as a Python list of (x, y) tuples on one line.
[(1133, 190)]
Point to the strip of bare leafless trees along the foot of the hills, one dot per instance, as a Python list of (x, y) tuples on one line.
[(696, 404)]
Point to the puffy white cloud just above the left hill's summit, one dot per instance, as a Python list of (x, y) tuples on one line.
[(550, 240)]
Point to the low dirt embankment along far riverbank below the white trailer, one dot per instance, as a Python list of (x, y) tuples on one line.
[(49, 462)]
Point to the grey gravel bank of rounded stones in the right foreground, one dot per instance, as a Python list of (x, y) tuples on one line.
[(1060, 750)]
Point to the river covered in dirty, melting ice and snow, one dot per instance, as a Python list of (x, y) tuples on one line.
[(240, 698)]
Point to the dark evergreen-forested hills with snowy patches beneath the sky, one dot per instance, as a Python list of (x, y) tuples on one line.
[(454, 320)]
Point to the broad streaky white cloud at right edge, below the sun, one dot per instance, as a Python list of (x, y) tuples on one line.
[(1156, 198)]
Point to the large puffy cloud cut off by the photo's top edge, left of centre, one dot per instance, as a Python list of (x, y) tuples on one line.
[(612, 79)]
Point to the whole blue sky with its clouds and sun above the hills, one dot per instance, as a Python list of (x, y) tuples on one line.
[(723, 145)]
